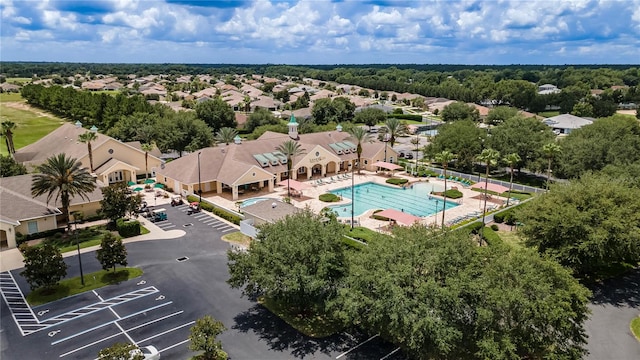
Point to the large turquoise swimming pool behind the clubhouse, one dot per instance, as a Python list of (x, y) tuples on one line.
[(414, 200)]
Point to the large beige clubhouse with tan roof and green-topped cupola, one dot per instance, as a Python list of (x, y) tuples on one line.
[(257, 165)]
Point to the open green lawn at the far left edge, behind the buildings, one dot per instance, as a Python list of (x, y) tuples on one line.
[(31, 125)]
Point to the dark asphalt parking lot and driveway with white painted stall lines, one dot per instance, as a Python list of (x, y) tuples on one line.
[(159, 308)]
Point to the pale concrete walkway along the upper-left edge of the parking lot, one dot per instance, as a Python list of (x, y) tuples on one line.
[(12, 259)]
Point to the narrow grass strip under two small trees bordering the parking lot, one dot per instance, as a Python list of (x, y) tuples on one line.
[(73, 286)]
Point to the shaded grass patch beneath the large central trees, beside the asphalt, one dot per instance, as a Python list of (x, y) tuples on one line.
[(313, 325)]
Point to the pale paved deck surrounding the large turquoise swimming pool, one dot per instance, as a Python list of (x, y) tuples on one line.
[(471, 202)]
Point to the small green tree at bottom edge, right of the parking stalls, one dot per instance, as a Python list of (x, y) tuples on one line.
[(204, 337)]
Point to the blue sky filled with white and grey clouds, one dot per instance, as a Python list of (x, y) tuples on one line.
[(489, 32)]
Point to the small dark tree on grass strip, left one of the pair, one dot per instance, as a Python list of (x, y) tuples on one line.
[(43, 265)]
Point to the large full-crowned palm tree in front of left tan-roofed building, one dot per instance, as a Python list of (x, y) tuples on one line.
[(64, 177)]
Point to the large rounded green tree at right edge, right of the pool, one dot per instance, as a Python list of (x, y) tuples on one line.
[(589, 225)]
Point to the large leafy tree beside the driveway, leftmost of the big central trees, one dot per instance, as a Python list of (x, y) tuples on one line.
[(298, 261)]
